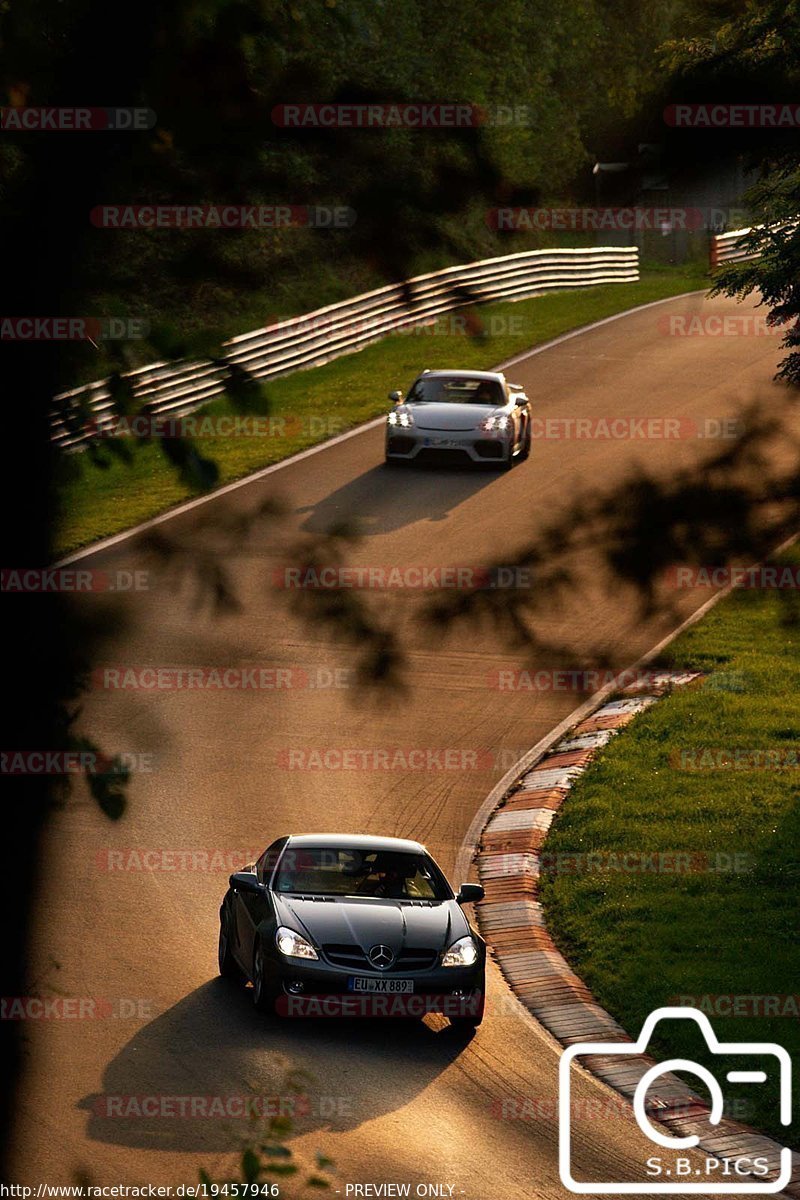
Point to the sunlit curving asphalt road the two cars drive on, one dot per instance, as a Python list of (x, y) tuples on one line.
[(410, 1103)]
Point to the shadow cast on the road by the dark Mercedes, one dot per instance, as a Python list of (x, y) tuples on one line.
[(213, 1051)]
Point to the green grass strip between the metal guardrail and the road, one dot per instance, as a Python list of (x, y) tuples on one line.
[(311, 406)]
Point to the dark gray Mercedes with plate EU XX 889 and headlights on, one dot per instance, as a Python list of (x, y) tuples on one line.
[(345, 926)]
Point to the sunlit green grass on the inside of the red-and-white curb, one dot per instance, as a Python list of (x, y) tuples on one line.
[(641, 940)]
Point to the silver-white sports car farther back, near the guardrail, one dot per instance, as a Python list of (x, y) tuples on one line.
[(468, 416)]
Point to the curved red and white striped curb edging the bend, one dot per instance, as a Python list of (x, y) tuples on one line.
[(513, 921)]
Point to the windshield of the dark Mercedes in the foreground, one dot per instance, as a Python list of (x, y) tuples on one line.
[(360, 873)]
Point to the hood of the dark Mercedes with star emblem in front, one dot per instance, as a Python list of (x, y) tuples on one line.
[(368, 922)]
